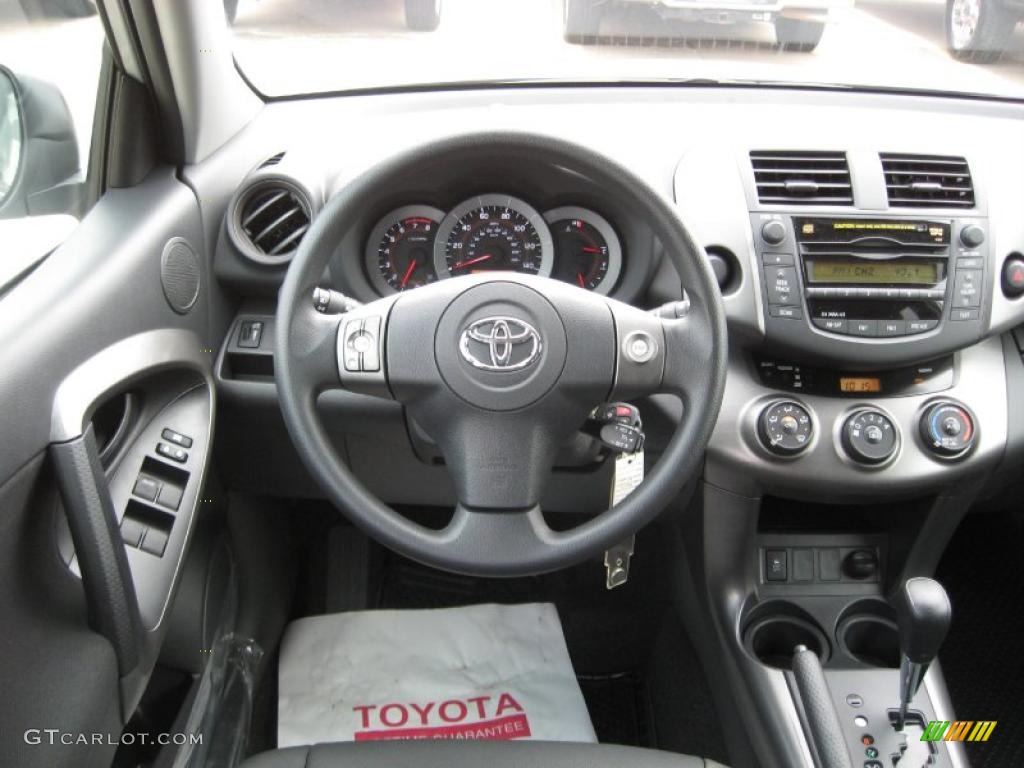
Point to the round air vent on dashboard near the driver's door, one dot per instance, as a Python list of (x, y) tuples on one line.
[(269, 221)]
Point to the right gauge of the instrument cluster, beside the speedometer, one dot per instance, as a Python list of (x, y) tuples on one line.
[(587, 250)]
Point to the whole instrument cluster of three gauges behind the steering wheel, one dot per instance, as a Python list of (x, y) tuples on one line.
[(417, 244)]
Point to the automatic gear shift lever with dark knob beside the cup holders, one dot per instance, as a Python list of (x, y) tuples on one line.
[(923, 613)]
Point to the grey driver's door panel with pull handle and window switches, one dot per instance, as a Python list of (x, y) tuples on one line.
[(91, 322)]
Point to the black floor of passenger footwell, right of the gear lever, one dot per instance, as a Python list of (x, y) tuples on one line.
[(982, 658)]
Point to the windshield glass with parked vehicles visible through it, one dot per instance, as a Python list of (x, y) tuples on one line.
[(305, 47)]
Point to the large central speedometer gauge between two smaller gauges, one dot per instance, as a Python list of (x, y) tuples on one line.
[(494, 233)]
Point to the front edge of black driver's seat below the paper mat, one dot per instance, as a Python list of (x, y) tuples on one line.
[(473, 755)]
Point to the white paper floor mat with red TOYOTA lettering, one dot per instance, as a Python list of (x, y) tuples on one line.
[(487, 672)]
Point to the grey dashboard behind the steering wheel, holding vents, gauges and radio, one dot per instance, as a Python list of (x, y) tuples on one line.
[(869, 255)]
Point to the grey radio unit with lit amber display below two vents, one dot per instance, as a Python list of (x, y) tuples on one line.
[(881, 281)]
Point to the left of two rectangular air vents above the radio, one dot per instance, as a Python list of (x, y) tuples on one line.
[(821, 179)]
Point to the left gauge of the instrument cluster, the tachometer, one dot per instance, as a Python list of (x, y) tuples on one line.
[(401, 249)]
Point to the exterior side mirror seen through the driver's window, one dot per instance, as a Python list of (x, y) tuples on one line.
[(40, 173)]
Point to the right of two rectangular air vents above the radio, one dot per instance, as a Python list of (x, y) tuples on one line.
[(927, 182)]
